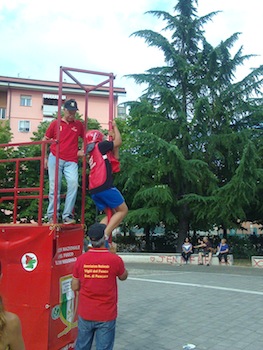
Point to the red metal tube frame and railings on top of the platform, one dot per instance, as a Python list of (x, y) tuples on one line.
[(16, 192)]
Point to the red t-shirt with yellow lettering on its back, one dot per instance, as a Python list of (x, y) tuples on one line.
[(97, 271)]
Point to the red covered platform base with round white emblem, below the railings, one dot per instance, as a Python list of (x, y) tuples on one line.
[(37, 263)]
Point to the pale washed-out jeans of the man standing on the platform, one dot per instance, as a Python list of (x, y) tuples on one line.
[(70, 171)]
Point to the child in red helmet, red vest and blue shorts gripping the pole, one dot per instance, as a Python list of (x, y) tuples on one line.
[(102, 156)]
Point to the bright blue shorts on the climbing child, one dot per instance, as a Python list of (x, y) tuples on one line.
[(111, 198)]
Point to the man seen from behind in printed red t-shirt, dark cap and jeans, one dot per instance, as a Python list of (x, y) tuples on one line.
[(94, 278)]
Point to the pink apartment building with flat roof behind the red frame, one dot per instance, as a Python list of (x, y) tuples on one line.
[(25, 103)]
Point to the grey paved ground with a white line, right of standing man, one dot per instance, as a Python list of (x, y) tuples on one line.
[(163, 307)]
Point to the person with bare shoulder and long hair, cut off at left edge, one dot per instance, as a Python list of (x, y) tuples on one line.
[(10, 329)]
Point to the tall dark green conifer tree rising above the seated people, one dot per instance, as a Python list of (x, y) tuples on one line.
[(193, 150)]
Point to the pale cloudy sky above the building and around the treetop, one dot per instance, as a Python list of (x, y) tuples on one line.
[(37, 37)]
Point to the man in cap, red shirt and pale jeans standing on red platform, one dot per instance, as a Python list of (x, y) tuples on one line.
[(70, 131)]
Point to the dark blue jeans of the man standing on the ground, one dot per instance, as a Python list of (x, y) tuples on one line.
[(104, 334)]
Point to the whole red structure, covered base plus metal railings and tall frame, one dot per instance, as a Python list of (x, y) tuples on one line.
[(37, 259)]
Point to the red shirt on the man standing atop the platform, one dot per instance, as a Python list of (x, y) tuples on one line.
[(69, 136)]
